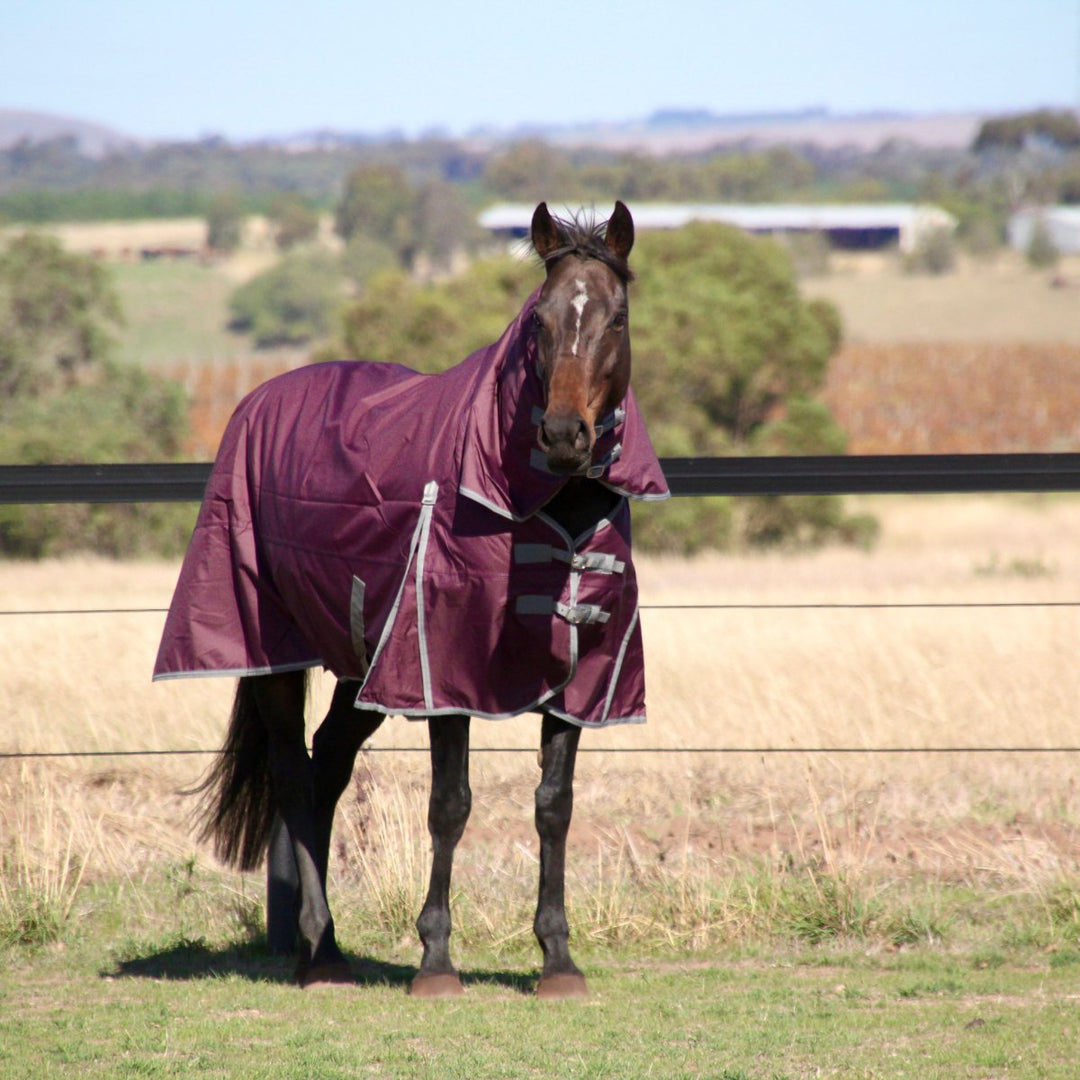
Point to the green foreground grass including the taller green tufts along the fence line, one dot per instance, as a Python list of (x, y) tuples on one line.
[(169, 976)]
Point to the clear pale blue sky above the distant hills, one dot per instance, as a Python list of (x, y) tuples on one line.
[(246, 69)]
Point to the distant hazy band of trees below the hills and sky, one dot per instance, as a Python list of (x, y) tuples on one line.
[(1014, 160)]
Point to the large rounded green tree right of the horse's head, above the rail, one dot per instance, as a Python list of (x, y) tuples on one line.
[(722, 339)]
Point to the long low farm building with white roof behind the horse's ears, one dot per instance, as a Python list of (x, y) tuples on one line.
[(847, 226)]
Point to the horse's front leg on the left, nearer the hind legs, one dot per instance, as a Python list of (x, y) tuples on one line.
[(448, 814)]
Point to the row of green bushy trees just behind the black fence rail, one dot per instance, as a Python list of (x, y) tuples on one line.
[(728, 360)]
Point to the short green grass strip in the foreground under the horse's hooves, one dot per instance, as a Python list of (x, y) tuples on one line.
[(186, 1008)]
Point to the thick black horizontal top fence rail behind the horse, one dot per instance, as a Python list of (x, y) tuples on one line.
[(872, 475)]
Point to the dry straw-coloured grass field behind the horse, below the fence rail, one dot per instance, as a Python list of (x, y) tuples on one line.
[(670, 845)]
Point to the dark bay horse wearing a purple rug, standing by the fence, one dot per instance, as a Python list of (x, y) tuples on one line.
[(448, 546)]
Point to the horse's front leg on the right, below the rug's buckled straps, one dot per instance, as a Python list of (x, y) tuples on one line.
[(559, 751)]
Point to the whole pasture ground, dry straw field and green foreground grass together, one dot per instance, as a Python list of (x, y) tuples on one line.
[(762, 915)]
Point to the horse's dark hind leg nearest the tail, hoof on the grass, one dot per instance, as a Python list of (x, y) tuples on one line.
[(280, 699)]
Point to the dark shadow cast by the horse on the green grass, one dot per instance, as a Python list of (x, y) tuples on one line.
[(187, 960)]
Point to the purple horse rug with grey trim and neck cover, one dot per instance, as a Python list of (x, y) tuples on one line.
[(390, 526)]
